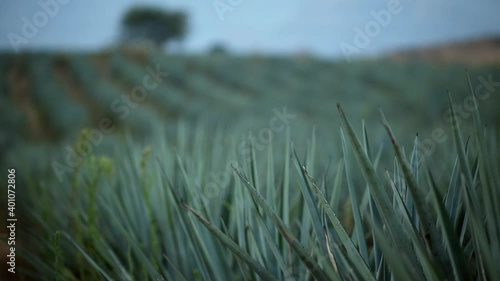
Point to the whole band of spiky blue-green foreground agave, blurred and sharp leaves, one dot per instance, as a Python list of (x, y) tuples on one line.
[(146, 218)]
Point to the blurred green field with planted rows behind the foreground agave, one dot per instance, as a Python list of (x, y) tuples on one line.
[(49, 97)]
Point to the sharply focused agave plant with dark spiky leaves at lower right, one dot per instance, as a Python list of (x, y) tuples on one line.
[(451, 237)]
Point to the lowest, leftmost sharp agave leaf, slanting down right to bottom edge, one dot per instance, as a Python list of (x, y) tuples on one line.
[(252, 263)]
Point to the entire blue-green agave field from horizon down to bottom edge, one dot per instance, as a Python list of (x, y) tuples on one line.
[(150, 166)]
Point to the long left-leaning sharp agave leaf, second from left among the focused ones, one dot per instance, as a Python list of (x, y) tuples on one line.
[(283, 229)]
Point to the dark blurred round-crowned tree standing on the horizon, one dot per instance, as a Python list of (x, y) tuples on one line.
[(154, 25)]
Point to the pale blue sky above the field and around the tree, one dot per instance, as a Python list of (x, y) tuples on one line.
[(326, 28)]
